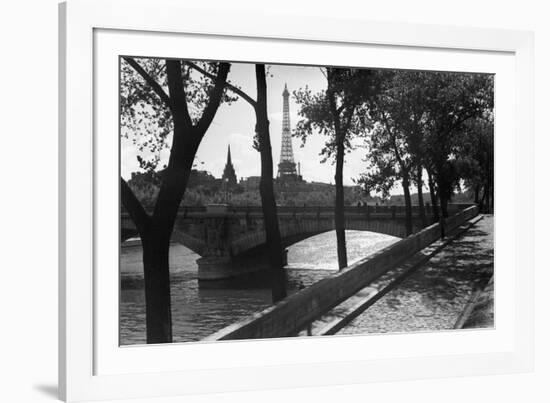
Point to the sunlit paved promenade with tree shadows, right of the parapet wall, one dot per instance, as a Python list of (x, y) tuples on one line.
[(434, 296)]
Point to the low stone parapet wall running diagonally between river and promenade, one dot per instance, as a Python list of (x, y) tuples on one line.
[(291, 315)]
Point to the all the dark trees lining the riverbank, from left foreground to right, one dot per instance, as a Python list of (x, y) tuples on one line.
[(410, 122)]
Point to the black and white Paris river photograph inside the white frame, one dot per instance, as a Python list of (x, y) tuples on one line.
[(264, 200)]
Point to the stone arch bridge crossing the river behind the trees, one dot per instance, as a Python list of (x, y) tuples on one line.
[(231, 240)]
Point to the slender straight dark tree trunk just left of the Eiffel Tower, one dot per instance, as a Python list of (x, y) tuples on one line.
[(269, 206)]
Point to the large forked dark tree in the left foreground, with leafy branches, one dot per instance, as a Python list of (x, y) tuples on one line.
[(164, 108)]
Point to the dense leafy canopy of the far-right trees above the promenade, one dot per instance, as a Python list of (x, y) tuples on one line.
[(423, 121)]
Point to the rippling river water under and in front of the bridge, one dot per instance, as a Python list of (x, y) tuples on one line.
[(199, 312)]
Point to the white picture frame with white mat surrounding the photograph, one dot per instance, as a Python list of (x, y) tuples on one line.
[(92, 366)]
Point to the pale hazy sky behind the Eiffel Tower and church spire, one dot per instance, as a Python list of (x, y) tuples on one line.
[(234, 125)]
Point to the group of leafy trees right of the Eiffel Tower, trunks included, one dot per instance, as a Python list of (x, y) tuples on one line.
[(412, 122)]
